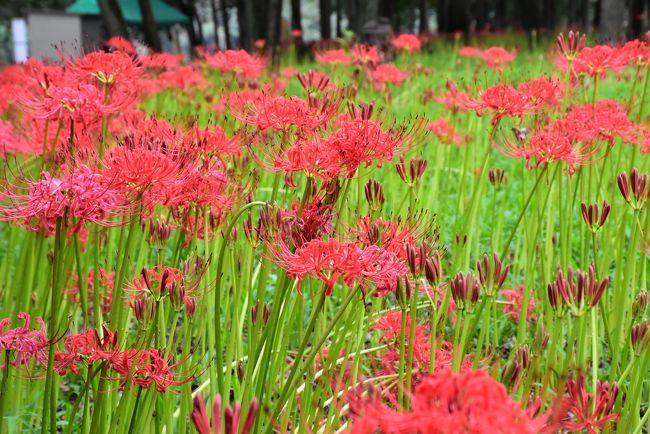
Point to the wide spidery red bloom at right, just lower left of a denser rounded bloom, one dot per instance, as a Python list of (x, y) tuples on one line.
[(550, 145)]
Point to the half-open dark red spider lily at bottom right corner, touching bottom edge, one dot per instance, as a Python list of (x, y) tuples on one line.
[(578, 402)]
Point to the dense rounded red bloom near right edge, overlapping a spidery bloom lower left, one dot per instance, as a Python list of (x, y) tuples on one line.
[(605, 120)]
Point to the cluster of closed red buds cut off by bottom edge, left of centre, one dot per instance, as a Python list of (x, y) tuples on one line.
[(231, 424)]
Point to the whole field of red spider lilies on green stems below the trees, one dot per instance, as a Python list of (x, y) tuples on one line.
[(432, 240)]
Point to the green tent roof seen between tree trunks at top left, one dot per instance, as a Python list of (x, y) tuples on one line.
[(162, 12)]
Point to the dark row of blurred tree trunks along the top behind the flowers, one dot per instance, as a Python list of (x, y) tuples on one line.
[(240, 23)]
